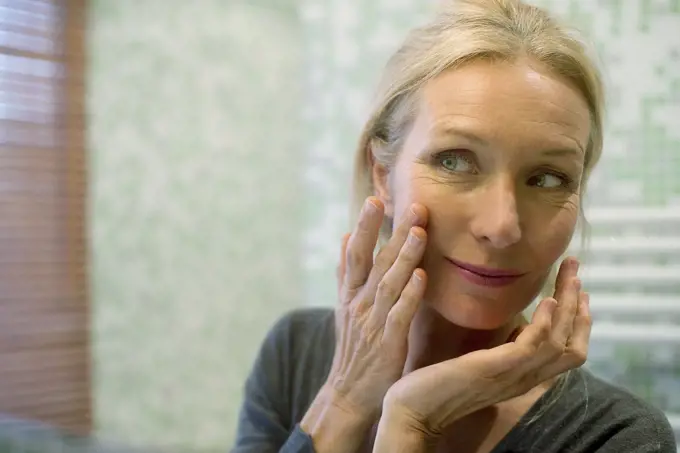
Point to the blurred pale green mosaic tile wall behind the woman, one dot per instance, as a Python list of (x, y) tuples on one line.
[(221, 137)]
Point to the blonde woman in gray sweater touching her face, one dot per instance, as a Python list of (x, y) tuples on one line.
[(471, 171)]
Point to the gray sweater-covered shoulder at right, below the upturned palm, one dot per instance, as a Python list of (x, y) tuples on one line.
[(591, 415)]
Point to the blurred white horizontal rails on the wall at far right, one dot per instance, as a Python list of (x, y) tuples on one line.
[(632, 271)]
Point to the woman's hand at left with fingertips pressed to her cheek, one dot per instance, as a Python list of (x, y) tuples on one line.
[(378, 300)]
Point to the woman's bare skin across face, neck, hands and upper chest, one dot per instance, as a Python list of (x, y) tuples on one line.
[(489, 174)]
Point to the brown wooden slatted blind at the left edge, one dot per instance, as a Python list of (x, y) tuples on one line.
[(44, 352)]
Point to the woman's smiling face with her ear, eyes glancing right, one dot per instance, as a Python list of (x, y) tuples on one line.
[(496, 155)]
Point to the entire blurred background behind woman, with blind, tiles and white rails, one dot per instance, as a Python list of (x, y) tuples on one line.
[(174, 177)]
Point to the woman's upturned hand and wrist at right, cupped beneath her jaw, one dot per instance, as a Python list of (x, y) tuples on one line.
[(427, 400)]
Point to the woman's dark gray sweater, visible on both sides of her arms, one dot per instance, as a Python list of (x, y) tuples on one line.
[(590, 416)]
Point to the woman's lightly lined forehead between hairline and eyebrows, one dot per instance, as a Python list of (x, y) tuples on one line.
[(505, 101)]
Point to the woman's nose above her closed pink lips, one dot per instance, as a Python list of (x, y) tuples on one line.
[(496, 220)]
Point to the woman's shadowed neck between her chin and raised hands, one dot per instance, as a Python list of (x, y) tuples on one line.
[(433, 339)]
